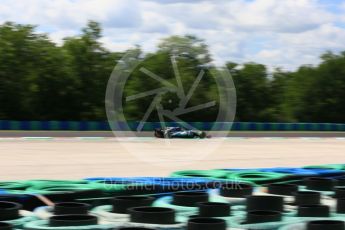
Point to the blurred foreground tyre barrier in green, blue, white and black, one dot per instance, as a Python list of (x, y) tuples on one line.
[(312, 197)]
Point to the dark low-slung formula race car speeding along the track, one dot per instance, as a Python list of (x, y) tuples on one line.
[(179, 132)]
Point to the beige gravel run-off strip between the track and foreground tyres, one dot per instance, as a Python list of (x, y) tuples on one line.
[(80, 157)]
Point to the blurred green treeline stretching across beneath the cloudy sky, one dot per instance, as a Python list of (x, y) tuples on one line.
[(40, 80)]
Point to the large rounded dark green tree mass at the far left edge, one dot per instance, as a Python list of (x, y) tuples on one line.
[(34, 76)]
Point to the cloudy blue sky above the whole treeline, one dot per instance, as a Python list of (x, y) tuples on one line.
[(278, 33)]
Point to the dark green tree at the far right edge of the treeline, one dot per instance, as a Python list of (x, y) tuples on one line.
[(323, 99)]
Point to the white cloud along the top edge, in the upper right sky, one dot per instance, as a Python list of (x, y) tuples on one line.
[(278, 16)]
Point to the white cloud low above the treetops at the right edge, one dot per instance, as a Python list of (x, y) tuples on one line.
[(294, 49)]
